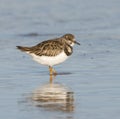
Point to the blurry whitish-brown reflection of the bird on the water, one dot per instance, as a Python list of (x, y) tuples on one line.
[(54, 97)]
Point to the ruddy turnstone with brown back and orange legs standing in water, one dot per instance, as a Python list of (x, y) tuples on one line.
[(52, 52)]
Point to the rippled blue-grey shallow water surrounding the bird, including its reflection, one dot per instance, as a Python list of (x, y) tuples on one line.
[(91, 75)]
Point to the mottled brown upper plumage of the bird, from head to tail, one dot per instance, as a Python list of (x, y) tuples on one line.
[(51, 47)]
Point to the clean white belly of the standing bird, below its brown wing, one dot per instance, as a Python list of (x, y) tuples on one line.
[(50, 61)]
